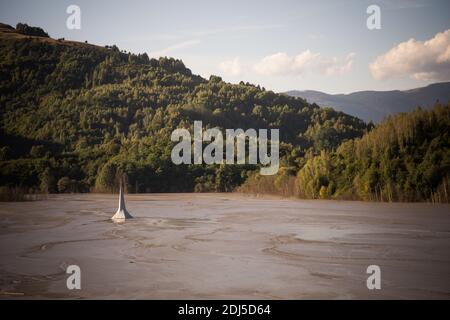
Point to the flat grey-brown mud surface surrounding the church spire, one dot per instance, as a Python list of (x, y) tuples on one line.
[(223, 246)]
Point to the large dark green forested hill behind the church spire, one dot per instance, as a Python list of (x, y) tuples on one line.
[(73, 115)]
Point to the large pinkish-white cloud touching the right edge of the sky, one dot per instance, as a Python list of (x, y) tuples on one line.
[(421, 60)]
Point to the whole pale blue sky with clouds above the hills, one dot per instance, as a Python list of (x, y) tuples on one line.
[(280, 45)]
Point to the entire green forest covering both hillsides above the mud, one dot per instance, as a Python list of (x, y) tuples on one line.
[(75, 116)]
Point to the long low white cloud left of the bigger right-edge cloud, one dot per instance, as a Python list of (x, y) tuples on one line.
[(307, 61)]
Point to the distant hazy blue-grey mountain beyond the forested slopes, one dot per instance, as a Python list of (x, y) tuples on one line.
[(376, 105)]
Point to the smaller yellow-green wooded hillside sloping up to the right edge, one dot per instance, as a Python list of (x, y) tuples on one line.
[(404, 158)]
